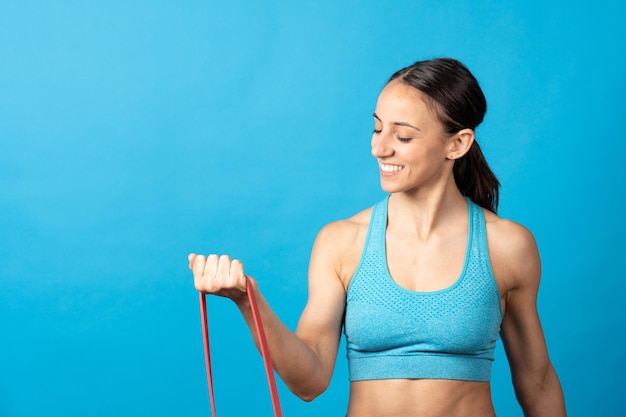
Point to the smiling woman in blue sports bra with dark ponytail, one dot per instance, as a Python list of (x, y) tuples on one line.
[(424, 281)]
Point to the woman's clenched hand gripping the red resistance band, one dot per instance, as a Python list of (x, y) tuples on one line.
[(218, 275)]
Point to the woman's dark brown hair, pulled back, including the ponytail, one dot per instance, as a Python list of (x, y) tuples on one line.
[(460, 104)]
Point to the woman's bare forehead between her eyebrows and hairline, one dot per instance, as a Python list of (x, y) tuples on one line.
[(398, 101)]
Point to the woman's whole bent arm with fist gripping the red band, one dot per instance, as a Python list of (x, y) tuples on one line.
[(304, 359)]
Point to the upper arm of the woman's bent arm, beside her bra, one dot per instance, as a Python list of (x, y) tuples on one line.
[(321, 321)]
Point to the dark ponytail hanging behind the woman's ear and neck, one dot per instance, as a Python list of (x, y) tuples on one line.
[(476, 180)]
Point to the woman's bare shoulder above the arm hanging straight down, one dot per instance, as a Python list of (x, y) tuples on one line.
[(513, 253)]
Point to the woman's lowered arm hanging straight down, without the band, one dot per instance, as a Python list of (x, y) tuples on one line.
[(536, 384)]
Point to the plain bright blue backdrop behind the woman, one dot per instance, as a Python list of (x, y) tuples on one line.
[(132, 133)]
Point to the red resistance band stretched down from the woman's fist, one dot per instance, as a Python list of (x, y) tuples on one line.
[(264, 350)]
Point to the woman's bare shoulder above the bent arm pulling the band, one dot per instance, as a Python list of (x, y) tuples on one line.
[(340, 244)]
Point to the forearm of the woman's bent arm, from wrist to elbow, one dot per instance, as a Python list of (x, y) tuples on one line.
[(297, 363)]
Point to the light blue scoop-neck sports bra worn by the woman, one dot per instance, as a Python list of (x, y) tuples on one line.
[(395, 333)]
